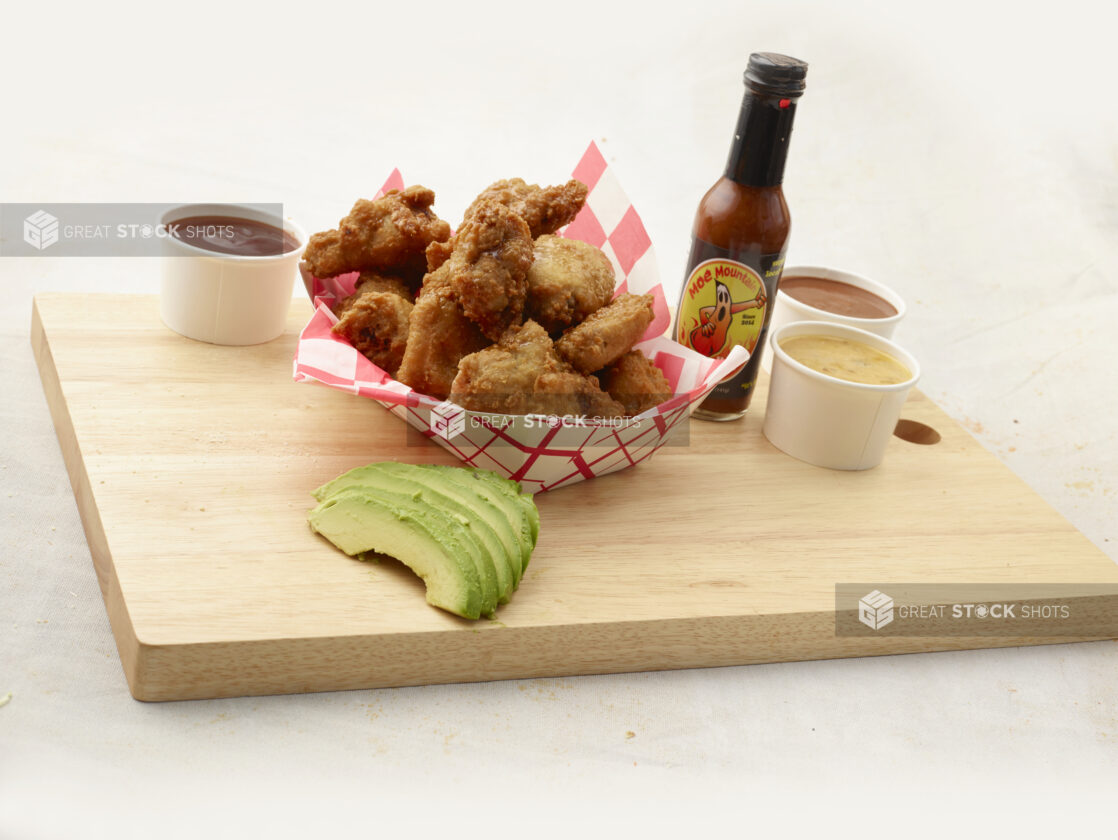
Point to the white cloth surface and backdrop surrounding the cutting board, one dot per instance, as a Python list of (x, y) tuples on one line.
[(964, 154)]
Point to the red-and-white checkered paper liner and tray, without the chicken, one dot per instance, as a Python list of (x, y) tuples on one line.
[(541, 454)]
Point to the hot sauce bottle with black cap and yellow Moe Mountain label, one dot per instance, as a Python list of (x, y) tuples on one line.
[(741, 235)]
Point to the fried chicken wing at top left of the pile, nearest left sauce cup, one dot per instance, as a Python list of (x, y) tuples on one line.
[(387, 234)]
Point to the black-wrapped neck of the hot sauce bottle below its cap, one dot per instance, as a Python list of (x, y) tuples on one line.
[(761, 141)]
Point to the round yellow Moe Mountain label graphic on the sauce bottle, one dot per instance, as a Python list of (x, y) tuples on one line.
[(723, 305)]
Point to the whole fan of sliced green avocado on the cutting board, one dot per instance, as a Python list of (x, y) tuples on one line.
[(468, 533)]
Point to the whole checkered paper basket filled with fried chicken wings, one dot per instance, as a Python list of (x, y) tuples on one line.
[(530, 342)]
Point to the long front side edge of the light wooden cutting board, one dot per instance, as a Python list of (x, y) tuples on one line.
[(299, 666)]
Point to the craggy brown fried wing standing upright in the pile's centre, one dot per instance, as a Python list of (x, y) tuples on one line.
[(487, 269)]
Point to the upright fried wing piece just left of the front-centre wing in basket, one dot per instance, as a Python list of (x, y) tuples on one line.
[(440, 335)]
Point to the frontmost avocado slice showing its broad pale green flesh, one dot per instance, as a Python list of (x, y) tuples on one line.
[(433, 545)]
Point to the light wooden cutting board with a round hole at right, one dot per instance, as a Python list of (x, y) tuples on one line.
[(193, 467)]
